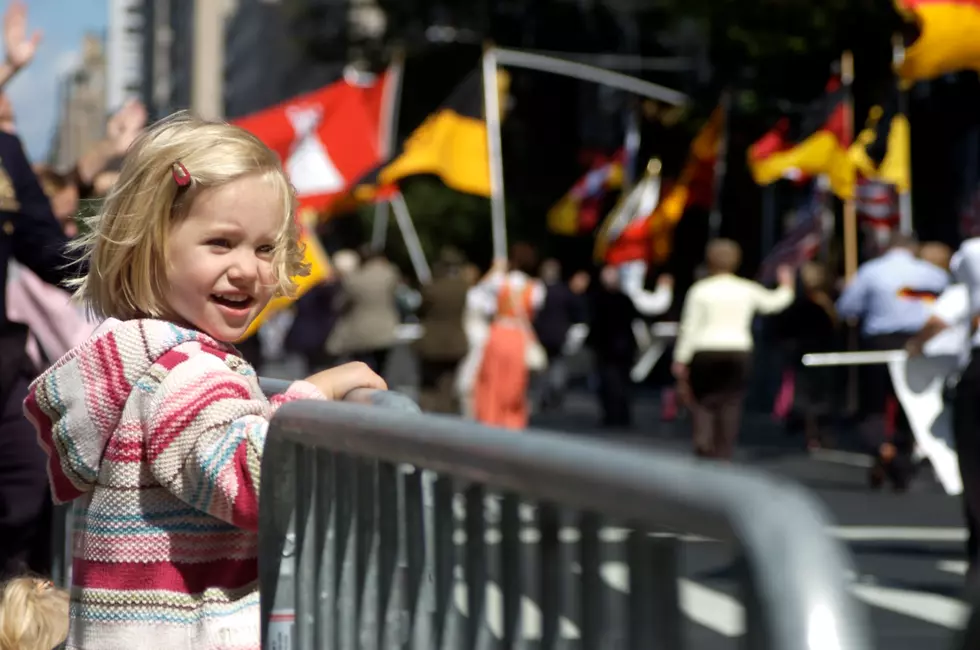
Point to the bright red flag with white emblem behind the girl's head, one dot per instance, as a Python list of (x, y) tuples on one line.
[(327, 139)]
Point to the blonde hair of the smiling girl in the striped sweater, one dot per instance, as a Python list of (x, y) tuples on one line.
[(126, 246)]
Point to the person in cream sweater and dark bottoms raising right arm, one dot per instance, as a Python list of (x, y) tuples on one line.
[(714, 344)]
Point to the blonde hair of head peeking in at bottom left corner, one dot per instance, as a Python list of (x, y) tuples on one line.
[(33, 615)]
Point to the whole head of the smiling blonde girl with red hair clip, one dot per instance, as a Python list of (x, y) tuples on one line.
[(198, 230)]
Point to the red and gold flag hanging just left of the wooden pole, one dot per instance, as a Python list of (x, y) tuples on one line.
[(818, 146)]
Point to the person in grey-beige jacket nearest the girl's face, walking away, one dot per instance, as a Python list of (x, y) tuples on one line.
[(368, 325)]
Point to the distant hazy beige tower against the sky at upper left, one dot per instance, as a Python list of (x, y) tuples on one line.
[(83, 106)]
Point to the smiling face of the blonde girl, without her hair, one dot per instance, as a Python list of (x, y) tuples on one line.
[(219, 259)]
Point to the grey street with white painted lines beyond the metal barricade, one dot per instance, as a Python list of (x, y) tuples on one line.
[(907, 548)]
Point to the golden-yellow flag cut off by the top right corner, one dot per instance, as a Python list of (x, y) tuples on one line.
[(947, 37)]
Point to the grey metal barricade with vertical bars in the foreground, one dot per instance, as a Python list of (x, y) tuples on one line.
[(374, 533)]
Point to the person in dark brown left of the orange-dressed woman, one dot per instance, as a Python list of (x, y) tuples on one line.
[(443, 343)]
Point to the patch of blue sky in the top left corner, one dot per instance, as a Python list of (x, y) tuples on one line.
[(34, 92)]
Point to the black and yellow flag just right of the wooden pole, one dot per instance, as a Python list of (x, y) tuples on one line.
[(881, 151)]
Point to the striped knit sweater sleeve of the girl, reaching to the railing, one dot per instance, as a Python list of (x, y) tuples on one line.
[(205, 429)]
